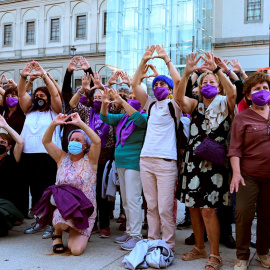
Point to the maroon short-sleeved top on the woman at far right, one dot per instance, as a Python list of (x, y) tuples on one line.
[(251, 143)]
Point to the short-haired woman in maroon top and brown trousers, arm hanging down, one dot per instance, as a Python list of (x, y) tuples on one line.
[(249, 153)]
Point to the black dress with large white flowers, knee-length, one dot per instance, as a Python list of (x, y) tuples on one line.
[(203, 184)]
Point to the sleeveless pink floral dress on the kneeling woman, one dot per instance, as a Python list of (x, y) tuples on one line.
[(81, 175)]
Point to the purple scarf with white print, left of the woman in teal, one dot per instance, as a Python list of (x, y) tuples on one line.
[(102, 129)]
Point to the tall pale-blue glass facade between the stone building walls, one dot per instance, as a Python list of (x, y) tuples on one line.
[(182, 26)]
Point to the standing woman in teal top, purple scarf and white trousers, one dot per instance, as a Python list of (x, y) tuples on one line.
[(130, 129)]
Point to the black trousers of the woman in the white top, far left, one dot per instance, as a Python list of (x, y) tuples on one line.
[(38, 173)]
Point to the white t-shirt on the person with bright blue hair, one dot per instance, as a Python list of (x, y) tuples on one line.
[(160, 139)]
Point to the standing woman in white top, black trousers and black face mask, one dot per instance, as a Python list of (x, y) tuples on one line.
[(38, 167)]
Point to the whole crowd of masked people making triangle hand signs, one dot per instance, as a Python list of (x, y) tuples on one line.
[(202, 139)]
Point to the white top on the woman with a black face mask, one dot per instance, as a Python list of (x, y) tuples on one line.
[(35, 125)]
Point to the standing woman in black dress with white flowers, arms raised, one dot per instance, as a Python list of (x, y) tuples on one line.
[(204, 184)]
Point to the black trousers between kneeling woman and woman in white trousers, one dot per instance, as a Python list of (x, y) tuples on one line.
[(103, 205)]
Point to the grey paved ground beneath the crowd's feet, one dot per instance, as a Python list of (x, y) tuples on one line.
[(19, 251)]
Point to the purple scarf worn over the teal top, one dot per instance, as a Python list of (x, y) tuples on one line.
[(123, 132)]
